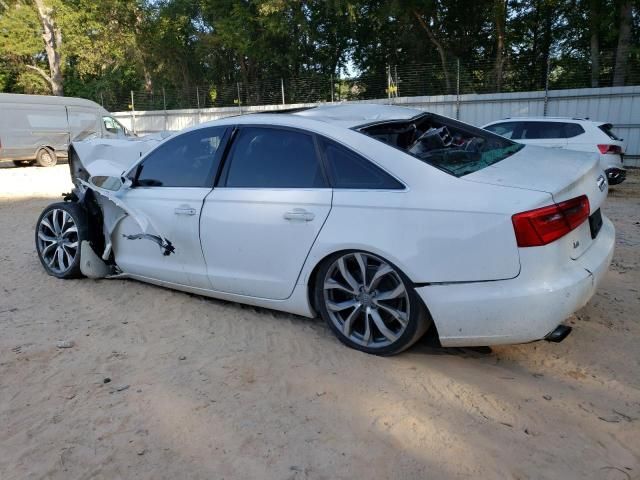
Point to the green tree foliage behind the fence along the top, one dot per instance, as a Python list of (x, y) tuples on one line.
[(113, 46)]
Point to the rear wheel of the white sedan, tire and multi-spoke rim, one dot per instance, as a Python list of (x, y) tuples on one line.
[(356, 311)]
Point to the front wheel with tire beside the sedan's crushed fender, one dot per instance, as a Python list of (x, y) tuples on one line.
[(60, 230)]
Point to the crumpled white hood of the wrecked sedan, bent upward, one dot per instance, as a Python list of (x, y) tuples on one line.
[(112, 156)]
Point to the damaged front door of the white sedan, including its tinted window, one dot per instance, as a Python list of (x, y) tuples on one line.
[(168, 192)]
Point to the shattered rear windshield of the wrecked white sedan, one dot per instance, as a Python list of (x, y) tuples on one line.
[(452, 146)]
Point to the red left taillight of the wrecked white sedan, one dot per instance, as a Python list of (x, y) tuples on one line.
[(544, 225)]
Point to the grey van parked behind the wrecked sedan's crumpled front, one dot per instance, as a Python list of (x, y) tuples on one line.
[(39, 128)]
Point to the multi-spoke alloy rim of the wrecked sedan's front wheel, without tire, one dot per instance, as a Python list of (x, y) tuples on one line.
[(58, 240)]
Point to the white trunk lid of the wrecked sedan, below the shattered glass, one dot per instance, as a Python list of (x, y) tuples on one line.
[(563, 174)]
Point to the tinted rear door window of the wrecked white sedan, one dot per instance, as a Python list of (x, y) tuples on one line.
[(272, 158)]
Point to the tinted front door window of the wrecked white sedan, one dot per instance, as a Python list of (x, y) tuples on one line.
[(188, 160)]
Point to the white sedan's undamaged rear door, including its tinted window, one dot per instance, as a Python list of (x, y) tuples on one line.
[(269, 205)]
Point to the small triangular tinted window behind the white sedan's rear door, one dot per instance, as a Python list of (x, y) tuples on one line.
[(347, 169)]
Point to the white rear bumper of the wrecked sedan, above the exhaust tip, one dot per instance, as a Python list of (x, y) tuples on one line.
[(523, 309)]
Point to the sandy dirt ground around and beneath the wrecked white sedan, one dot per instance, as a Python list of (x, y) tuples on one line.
[(221, 391)]
